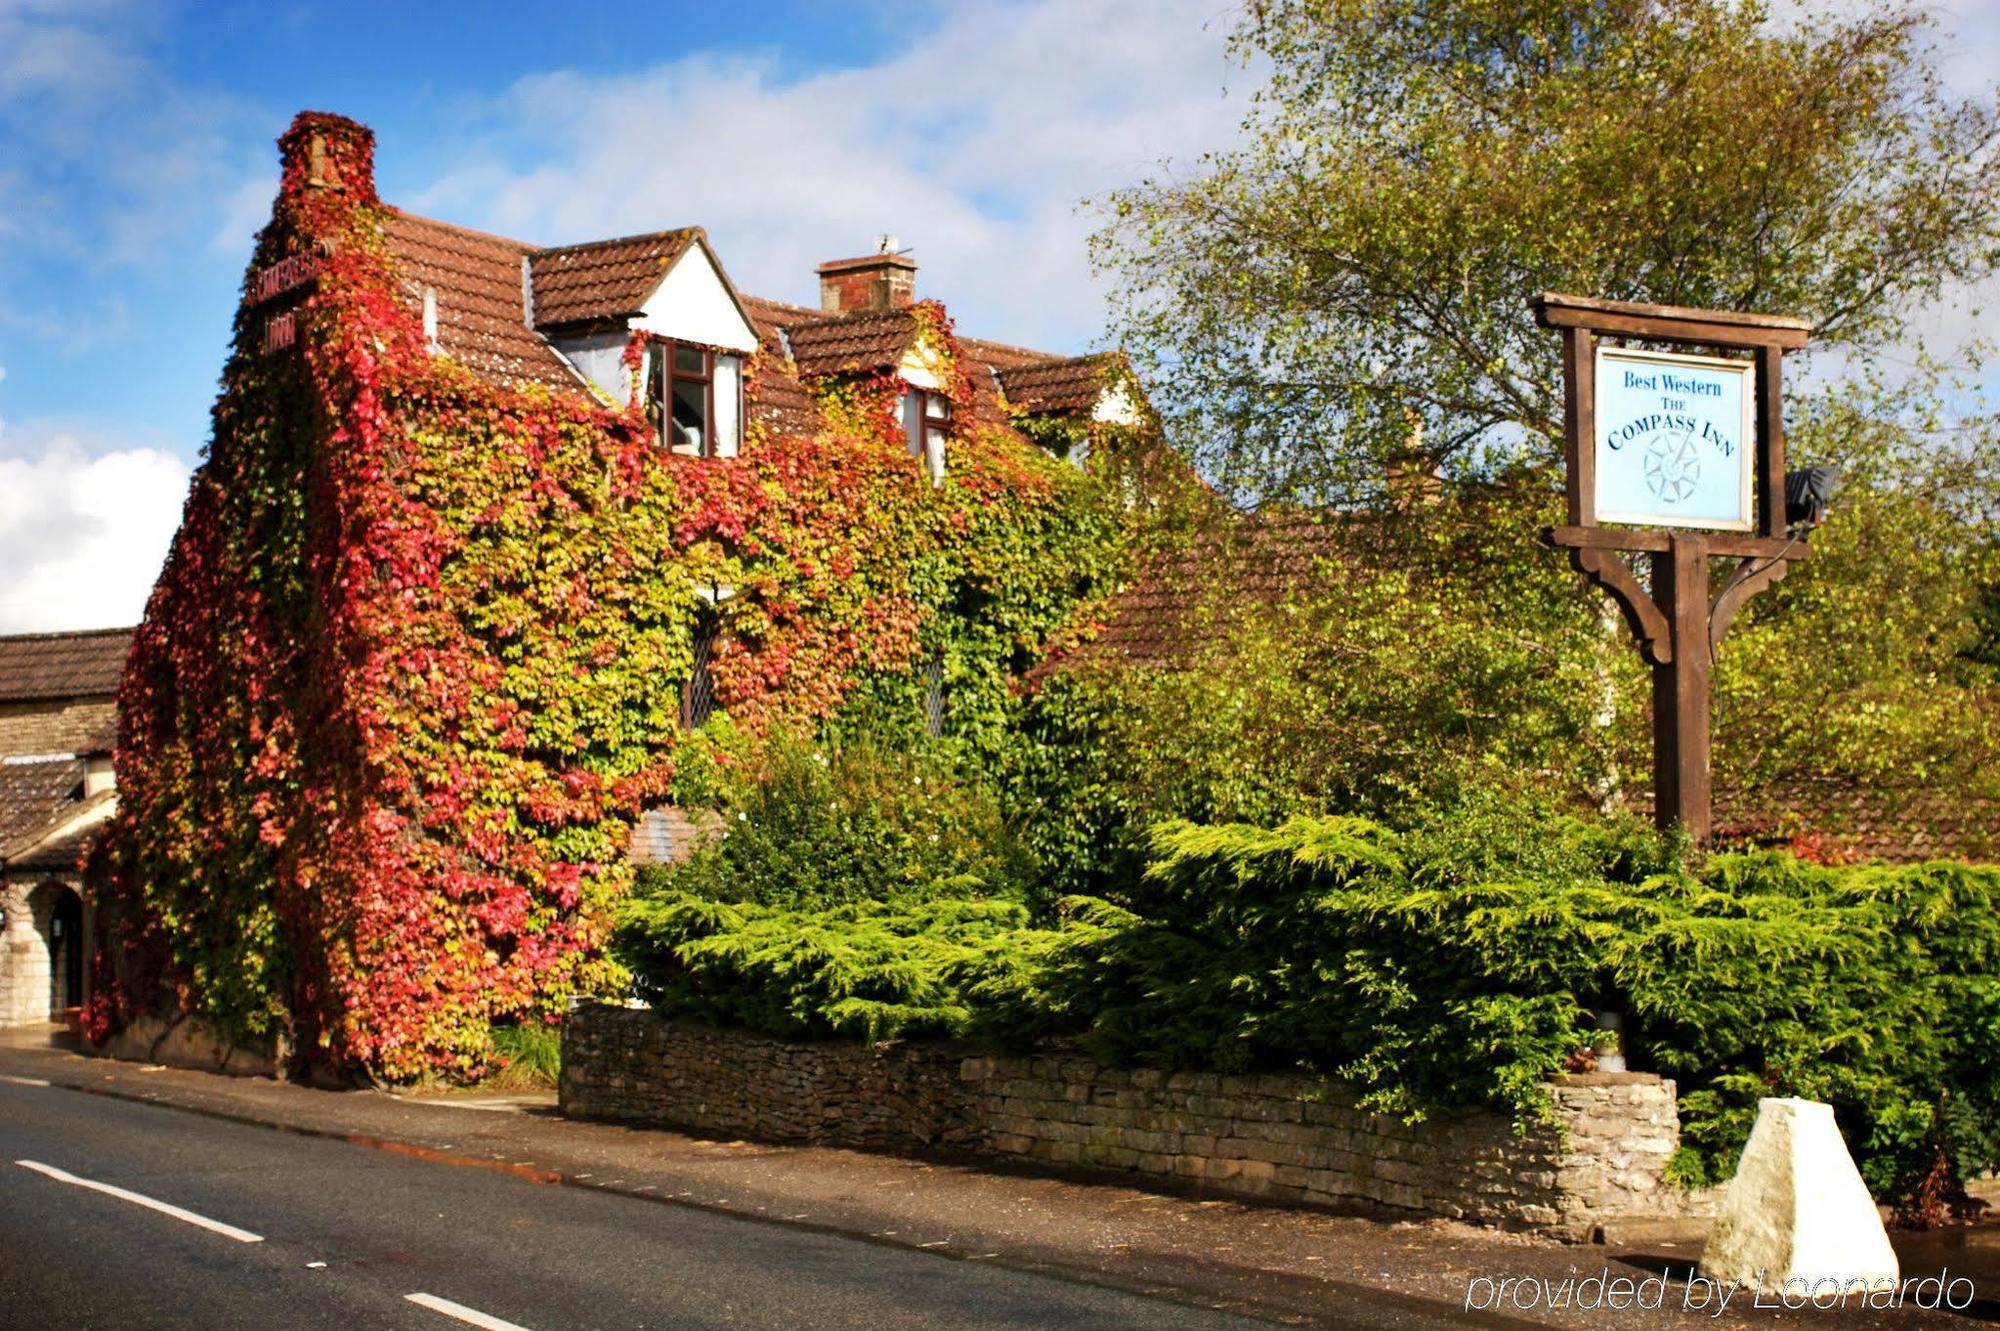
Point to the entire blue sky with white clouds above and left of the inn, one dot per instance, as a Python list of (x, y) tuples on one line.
[(137, 163)]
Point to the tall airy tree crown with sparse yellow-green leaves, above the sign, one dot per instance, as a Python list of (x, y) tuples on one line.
[(1347, 289)]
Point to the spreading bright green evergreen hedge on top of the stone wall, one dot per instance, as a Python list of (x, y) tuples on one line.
[(1447, 966)]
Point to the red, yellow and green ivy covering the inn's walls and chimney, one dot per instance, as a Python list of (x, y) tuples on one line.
[(415, 663)]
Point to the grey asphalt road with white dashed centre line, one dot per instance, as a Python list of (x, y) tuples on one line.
[(347, 1234)]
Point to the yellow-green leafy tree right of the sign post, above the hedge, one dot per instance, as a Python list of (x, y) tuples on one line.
[(1863, 666)]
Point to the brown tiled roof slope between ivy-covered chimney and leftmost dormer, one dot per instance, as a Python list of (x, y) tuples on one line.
[(479, 289)]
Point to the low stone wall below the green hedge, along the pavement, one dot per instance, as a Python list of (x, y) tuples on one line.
[(1273, 1138)]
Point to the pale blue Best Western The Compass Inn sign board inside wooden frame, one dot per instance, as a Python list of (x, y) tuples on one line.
[(1677, 441)]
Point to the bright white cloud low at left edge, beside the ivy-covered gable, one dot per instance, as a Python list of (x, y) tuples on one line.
[(83, 537)]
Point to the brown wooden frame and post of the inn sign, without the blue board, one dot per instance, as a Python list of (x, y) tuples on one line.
[(1683, 617)]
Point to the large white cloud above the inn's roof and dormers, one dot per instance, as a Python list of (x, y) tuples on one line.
[(973, 145)]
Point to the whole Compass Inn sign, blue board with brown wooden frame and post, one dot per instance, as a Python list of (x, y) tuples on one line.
[(1687, 455)]
